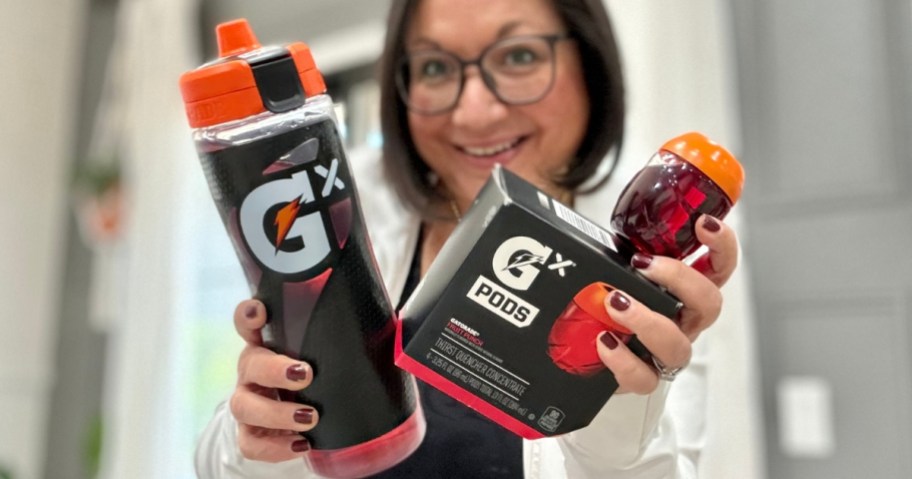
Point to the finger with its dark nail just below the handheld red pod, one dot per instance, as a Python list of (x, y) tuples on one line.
[(701, 297)]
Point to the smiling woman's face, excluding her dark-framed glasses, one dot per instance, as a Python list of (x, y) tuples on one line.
[(537, 140)]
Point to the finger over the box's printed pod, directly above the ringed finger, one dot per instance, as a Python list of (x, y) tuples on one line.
[(660, 335)]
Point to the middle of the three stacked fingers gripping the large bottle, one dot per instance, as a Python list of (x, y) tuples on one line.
[(253, 409)]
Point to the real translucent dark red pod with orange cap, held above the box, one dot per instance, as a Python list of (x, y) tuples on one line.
[(689, 176)]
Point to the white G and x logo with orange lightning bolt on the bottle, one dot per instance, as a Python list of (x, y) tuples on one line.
[(312, 242)]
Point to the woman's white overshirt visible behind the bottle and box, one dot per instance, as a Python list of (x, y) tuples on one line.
[(659, 435)]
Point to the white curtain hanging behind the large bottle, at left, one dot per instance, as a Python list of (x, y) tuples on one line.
[(155, 43)]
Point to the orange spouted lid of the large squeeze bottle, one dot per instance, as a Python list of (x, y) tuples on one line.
[(226, 90)]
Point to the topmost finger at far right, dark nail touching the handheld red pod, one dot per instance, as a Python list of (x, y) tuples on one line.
[(720, 261)]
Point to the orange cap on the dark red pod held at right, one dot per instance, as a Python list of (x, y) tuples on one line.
[(712, 159)]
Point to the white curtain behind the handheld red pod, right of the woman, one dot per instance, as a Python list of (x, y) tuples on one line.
[(680, 72)]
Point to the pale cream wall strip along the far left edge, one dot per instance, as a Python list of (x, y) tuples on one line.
[(41, 48)]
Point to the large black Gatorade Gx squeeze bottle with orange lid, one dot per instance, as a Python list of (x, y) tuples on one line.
[(267, 139)]
